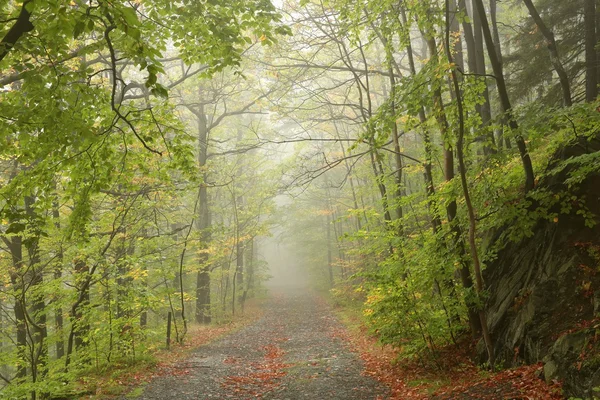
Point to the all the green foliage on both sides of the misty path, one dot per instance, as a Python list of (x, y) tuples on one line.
[(114, 193)]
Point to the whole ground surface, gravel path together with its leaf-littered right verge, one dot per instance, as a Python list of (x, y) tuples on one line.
[(298, 349)]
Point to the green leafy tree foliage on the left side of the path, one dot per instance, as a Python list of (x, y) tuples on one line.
[(100, 178)]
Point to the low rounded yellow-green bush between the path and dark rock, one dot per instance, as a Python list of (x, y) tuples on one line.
[(409, 303)]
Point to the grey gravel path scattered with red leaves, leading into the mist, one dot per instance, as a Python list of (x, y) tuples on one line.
[(292, 352)]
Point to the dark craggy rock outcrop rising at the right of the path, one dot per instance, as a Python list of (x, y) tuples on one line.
[(545, 296)]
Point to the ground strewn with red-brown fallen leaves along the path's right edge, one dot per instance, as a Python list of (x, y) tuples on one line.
[(450, 375)]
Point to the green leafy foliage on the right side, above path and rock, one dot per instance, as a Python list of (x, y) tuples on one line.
[(413, 296)]
